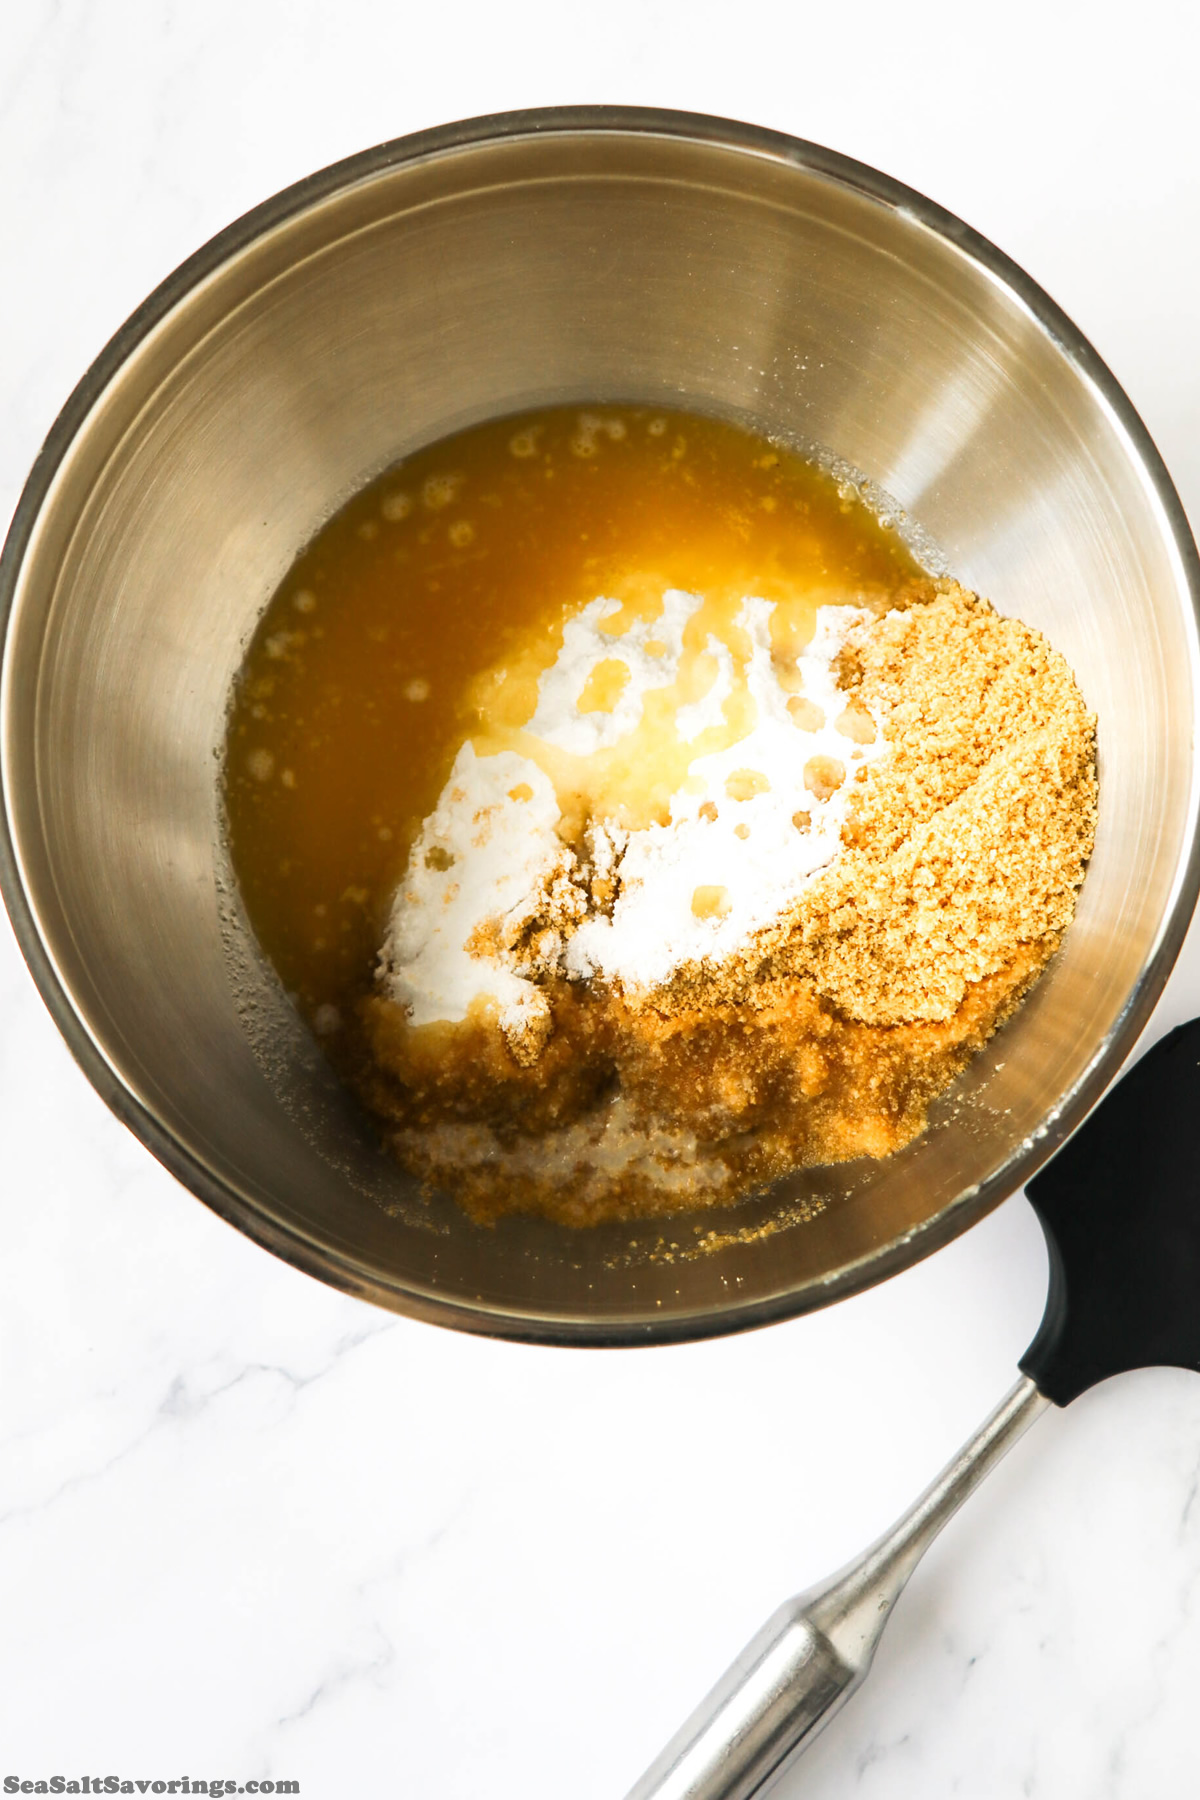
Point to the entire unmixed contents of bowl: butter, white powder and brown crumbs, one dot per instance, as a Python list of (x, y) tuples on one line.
[(715, 847)]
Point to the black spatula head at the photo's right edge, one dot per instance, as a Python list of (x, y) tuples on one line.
[(1120, 1207)]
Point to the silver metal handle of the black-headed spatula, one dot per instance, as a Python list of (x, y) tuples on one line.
[(810, 1657)]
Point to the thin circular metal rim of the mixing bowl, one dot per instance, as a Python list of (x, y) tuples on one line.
[(319, 1259)]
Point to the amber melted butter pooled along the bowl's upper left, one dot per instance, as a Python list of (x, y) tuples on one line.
[(429, 609)]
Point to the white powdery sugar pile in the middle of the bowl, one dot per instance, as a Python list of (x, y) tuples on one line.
[(748, 829)]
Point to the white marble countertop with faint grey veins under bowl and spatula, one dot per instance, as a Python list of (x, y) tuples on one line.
[(251, 1529)]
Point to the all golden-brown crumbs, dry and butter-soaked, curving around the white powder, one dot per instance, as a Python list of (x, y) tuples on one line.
[(828, 1032)]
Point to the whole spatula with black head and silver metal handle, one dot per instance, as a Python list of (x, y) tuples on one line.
[(1120, 1207)]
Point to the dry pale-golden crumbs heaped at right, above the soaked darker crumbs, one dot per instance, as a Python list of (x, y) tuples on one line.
[(965, 845)]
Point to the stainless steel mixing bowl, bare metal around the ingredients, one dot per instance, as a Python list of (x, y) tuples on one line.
[(400, 296)]
